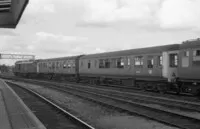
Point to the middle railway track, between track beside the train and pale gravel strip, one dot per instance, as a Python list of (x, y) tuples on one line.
[(169, 102)]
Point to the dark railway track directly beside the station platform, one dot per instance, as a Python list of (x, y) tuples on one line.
[(50, 114)]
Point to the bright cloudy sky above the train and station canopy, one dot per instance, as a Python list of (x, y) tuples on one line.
[(57, 28)]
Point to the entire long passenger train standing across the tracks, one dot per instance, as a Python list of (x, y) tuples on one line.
[(166, 68)]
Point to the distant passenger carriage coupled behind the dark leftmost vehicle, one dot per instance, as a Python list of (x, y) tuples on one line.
[(64, 68)]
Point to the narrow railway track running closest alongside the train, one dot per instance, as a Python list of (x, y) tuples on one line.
[(127, 89)]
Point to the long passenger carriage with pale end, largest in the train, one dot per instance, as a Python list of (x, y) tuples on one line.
[(153, 64)]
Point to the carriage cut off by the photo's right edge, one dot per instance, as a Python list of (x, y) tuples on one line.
[(189, 66)]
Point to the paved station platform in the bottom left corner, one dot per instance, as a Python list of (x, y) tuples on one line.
[(14, 114)]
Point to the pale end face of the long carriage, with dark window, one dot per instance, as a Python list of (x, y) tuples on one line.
[(170, 64)]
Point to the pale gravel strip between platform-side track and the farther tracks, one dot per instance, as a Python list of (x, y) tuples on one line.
[(98, 116)]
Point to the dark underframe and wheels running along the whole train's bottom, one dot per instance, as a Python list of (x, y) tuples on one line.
[(179, 86)]
